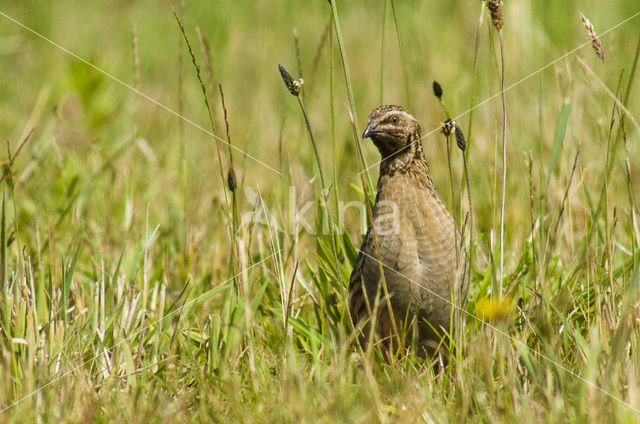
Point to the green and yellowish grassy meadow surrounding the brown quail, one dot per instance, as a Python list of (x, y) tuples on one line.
[(119, 238)]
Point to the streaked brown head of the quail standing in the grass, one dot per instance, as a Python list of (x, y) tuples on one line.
[(392, 129)]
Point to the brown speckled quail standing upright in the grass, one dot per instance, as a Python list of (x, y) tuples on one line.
[(413, 243)]
